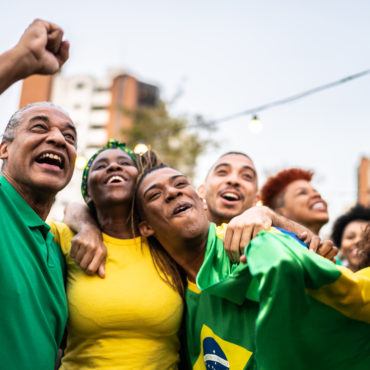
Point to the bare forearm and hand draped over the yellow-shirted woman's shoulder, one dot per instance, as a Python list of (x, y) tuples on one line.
[(87, 248)]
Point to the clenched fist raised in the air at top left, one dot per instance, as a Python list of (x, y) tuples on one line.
[(42, 48)]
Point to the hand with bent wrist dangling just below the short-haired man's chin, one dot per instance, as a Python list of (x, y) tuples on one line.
[(243, 228)]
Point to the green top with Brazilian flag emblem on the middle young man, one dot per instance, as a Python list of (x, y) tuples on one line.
[(220, 332)]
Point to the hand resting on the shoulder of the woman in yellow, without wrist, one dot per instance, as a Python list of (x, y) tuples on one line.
[(89, 251)]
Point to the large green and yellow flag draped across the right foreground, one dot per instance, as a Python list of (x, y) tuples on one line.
[(312, 313)]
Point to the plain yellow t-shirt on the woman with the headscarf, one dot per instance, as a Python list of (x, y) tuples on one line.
[(129, 320)]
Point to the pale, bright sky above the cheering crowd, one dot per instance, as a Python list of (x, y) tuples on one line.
[(226, 57)]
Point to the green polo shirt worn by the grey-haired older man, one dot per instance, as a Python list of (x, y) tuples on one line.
[(33, 309)]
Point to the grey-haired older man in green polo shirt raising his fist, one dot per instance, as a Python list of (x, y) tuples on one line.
[(38, 150)]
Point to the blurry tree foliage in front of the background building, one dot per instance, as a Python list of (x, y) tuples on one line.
[(169, 136)]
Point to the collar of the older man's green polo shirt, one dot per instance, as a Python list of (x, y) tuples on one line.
[(30, 217)]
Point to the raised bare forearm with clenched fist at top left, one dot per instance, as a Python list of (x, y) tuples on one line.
[(40, 50)]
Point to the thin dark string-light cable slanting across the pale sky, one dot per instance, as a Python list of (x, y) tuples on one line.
[(288, 99)]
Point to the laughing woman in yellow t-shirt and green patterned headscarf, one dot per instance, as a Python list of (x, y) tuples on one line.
[(131, 318)]
